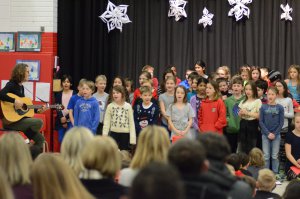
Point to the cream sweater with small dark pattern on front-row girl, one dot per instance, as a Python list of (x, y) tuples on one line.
[(119, 119)]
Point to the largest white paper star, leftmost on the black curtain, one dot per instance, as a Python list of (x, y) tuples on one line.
[(115, 16)]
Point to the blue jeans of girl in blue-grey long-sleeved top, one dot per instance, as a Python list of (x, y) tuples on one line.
[(271, 150)]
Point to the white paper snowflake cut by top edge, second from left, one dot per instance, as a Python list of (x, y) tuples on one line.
[(177, 9)]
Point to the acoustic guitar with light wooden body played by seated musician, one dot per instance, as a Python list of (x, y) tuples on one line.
[(12, 114)]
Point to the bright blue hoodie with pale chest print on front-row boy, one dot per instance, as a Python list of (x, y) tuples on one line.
[(87, 113)]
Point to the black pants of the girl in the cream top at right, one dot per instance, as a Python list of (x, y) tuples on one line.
[(248, 135)]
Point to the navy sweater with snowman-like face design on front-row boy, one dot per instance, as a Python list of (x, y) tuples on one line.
[(145, 116)]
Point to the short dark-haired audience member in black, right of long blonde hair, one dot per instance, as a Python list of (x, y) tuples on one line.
[(188, 156)]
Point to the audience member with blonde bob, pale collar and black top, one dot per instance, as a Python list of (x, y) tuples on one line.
[(102, 161)]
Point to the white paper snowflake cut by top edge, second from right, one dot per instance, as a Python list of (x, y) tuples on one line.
[(239, 9)]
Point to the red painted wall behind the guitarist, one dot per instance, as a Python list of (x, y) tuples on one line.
[(46, 57)]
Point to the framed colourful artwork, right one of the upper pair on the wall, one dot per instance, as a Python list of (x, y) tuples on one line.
[(29, 41)]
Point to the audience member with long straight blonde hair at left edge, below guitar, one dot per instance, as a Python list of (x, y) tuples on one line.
[(16, 161)]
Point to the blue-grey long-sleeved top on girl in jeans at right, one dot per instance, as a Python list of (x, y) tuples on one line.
[(271, 118)]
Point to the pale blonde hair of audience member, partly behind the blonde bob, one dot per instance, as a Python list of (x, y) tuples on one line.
[(72, 146)]
